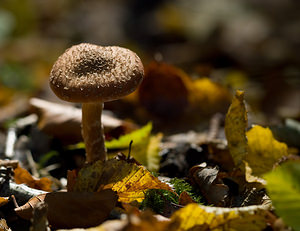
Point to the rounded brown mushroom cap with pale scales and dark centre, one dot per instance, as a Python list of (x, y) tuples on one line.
[(90, 73)]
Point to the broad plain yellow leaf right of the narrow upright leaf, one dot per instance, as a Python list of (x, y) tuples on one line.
[(263, 150)]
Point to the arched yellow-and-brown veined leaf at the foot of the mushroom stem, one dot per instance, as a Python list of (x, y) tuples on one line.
[(128, 179)]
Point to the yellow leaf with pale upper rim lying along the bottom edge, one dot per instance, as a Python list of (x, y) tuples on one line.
[(197, 217)]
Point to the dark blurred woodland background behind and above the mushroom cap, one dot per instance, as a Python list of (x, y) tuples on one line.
[(239, 44)]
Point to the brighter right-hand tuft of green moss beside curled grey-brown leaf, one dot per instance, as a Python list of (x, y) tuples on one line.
[(181, 185)]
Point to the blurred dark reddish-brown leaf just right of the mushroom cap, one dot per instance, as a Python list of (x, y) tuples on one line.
[(164, 91)]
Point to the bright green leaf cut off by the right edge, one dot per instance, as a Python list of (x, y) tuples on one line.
[(283, 185)]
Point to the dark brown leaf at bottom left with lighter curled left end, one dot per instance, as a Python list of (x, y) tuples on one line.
[(73, 209)]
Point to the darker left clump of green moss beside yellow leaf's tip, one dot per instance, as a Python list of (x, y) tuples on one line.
[(156, 200)]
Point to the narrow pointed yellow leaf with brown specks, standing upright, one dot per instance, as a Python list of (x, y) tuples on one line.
[(235, 128)]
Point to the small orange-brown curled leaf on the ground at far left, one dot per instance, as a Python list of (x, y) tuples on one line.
[(22, 176)]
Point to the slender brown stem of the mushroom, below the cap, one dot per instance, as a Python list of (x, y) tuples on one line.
[(92, 132)]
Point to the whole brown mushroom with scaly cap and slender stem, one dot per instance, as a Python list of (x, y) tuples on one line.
[(91, 75)]
